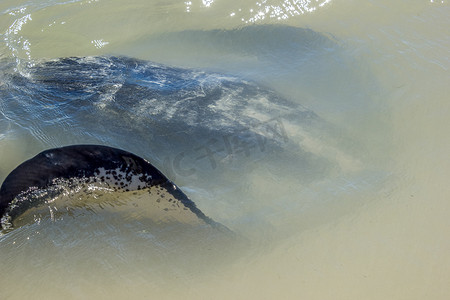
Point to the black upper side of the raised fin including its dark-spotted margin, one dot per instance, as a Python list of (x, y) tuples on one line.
[(115, 168)]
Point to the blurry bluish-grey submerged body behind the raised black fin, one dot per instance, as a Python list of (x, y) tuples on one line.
[(201, 129)]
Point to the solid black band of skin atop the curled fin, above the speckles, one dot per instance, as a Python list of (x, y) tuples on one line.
[(83, 161)]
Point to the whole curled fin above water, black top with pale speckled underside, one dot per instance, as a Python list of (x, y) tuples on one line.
[(61, 179)]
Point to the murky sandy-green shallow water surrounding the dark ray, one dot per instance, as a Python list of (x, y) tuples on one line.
[(373, 226)]
